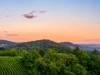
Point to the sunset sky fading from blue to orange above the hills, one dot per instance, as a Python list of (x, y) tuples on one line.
[(76, 21)]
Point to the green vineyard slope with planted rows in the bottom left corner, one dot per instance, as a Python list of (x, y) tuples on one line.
[(11, 66)]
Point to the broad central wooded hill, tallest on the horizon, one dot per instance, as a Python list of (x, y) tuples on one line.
[(41, 44)]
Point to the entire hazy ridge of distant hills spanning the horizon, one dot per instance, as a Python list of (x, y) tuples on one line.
[(48, 44)]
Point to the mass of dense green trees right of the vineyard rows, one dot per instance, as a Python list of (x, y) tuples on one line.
[(52, 62)]
